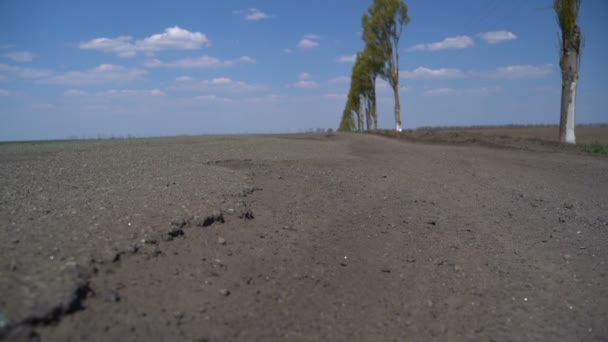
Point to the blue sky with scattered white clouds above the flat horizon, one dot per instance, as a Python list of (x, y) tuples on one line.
[(148, 68)]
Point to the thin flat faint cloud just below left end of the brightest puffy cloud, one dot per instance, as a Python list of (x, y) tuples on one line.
[(104, 73)]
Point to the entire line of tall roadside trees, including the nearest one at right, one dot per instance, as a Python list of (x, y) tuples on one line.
[(382, 28)]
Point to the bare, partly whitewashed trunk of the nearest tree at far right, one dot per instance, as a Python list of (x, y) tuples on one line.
[(567, 122)]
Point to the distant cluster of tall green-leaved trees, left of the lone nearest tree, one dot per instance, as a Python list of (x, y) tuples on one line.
[(382, 28)]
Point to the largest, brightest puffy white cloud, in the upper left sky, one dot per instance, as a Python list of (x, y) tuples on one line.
[(173, 38)]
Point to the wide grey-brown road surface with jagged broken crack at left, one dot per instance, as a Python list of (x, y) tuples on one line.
[(301, 237)]
